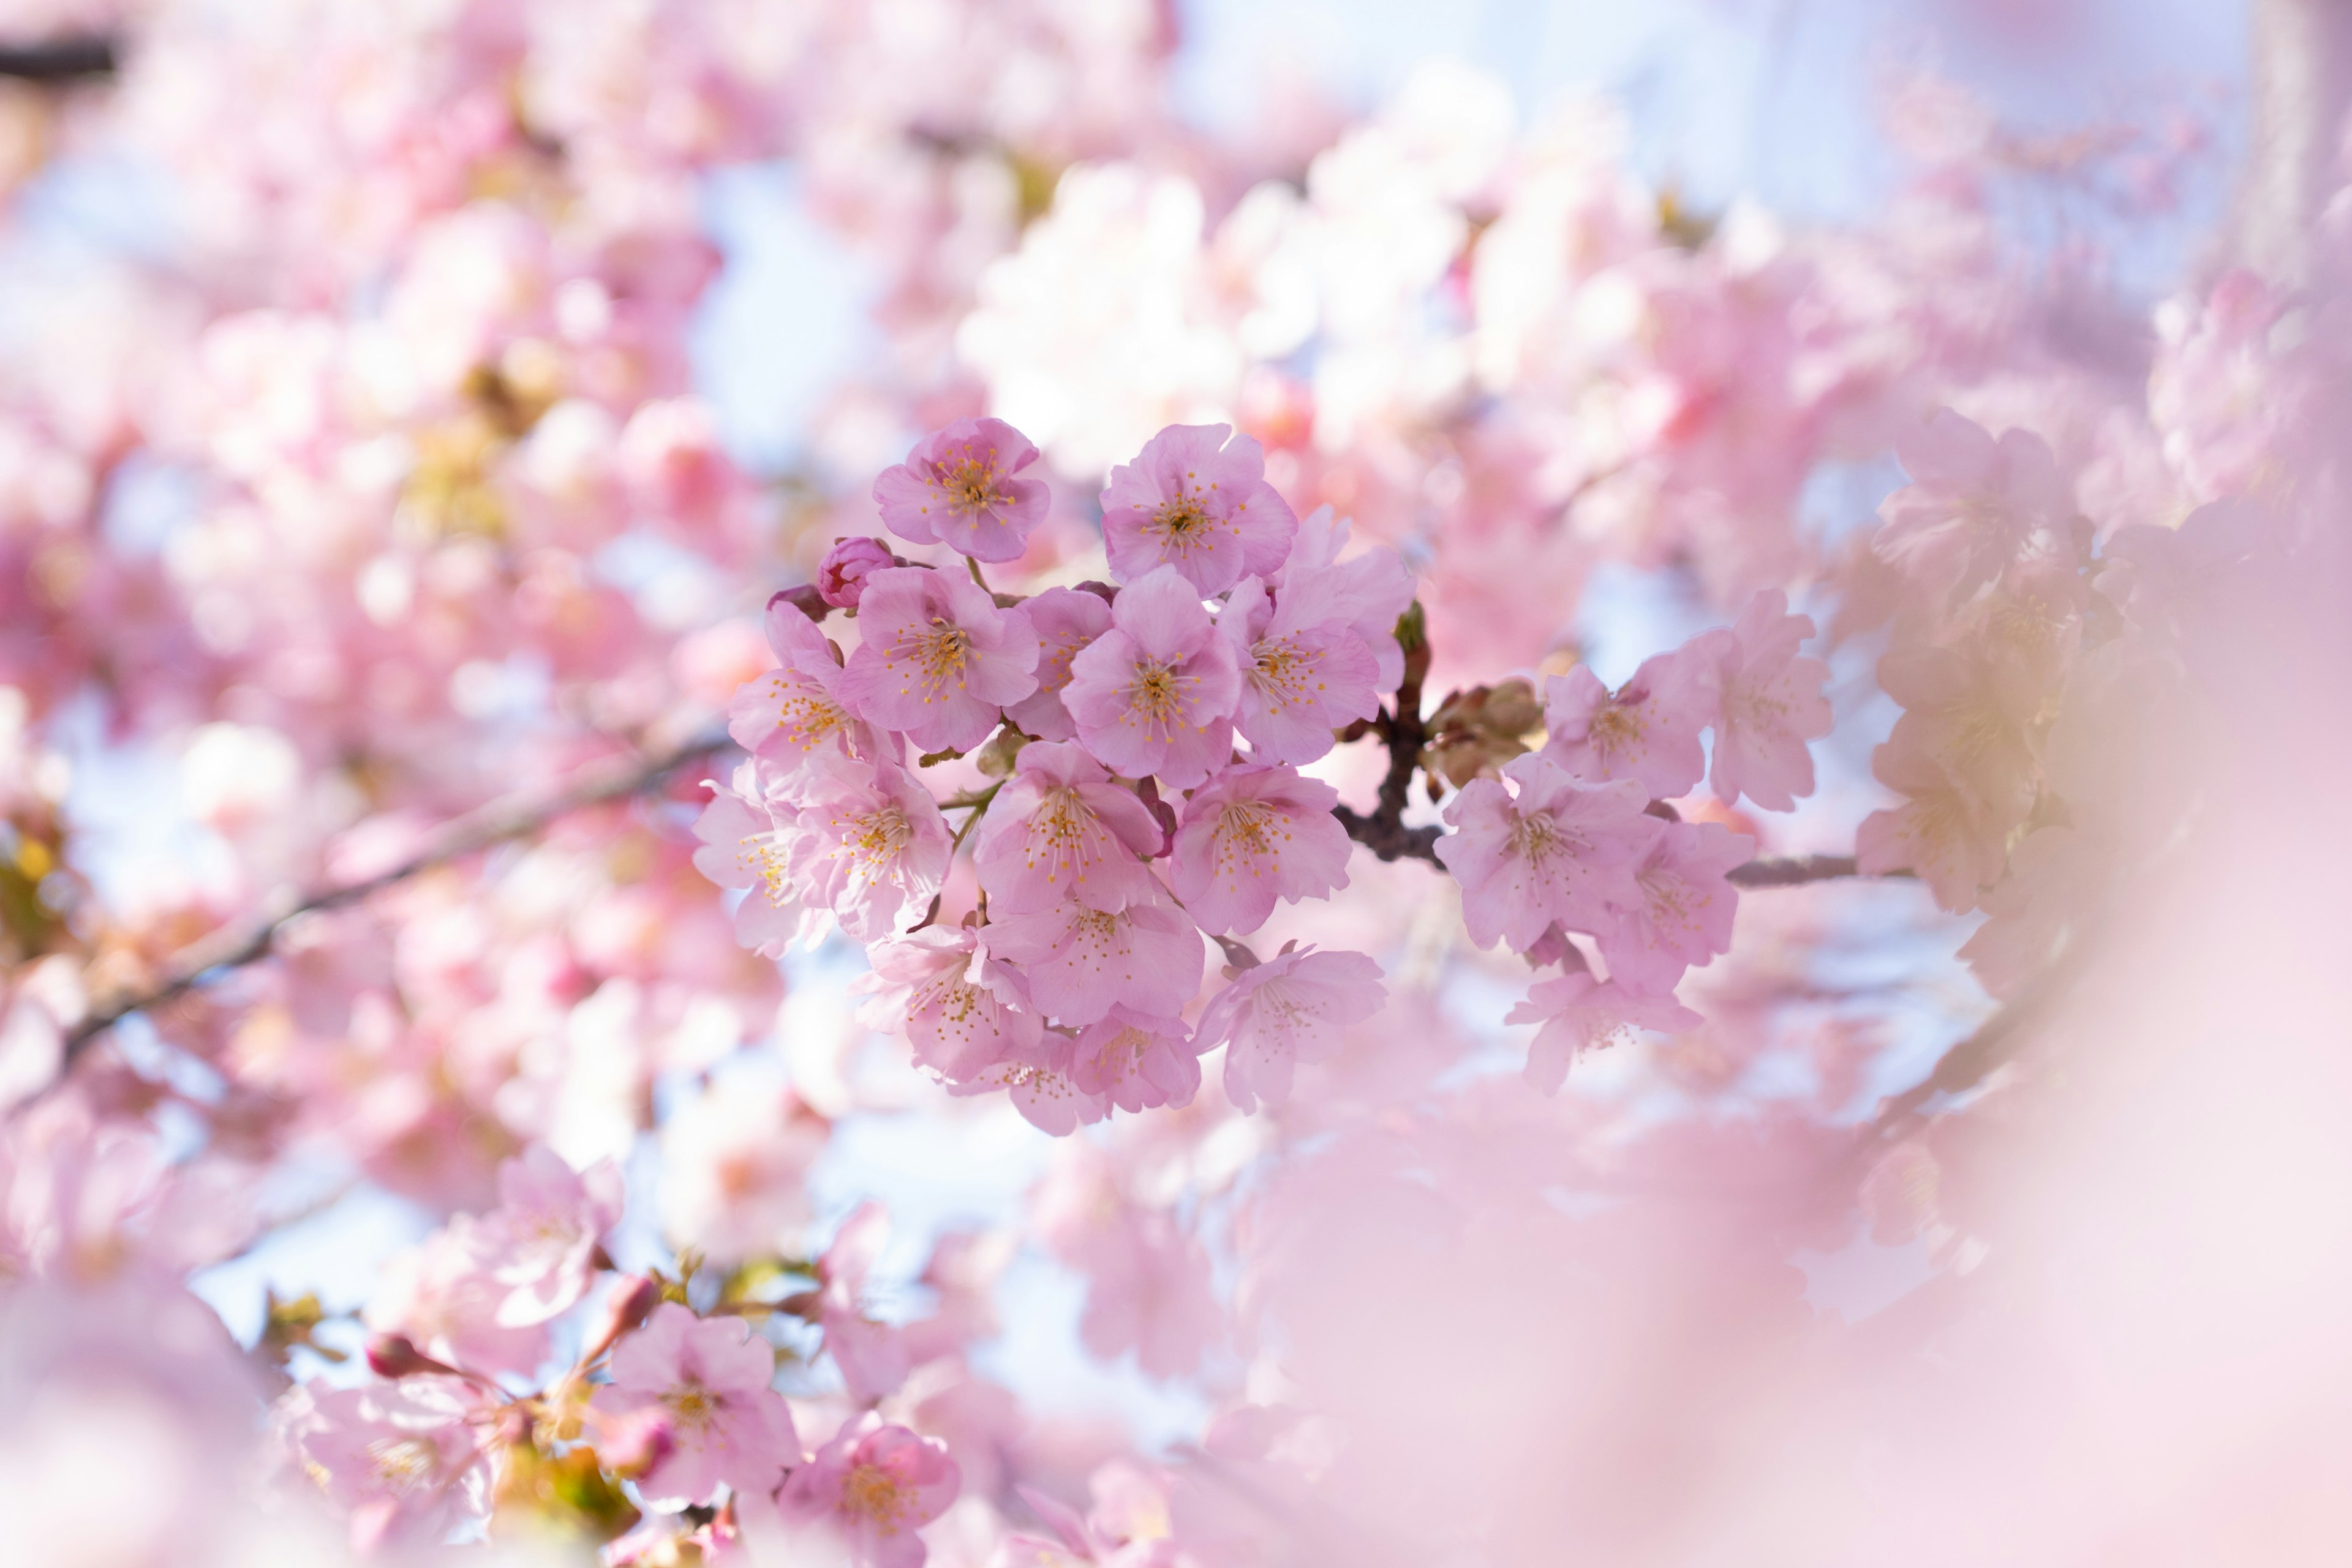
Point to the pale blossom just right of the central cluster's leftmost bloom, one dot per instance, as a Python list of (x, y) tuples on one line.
[(874, 847)]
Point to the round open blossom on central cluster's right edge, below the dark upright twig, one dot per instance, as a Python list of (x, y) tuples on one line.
[(1257, 836)]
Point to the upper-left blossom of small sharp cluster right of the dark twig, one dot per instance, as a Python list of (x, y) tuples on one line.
[(1648, 730)]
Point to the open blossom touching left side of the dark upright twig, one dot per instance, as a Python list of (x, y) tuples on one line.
[(1304, 669)]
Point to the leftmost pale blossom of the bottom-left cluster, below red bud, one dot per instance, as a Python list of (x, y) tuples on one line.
[(406, 1459)]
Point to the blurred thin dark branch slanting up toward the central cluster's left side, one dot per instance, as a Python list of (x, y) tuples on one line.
[(476, 831)]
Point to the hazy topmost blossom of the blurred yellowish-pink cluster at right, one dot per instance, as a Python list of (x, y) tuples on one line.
[(1970, 507)]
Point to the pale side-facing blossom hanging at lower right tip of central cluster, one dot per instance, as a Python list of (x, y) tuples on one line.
[(1285, 1012)]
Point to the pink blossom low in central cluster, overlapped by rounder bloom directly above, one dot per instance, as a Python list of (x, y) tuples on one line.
[(1081, 963)]
